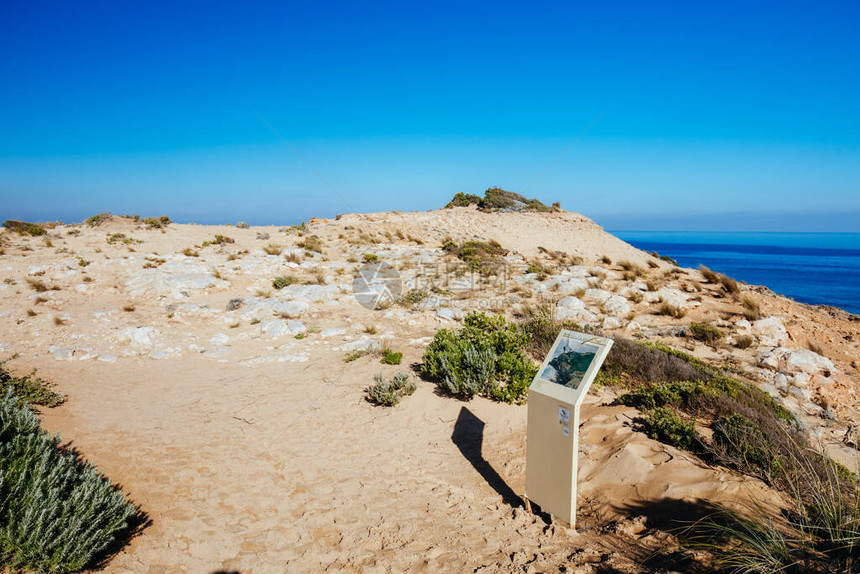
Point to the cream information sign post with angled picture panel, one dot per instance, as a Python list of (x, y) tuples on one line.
[(552, 451)]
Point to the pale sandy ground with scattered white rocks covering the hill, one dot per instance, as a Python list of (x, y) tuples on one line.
[(258, 453)]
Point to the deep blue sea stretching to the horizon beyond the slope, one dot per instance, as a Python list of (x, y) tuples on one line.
[(817, 268)]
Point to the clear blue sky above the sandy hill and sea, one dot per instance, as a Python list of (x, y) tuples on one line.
[(714, 115)]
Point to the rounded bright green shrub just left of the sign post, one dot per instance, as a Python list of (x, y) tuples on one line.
[(486, 357)]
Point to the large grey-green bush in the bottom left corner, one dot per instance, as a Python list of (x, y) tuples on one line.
[(56, 513)]
